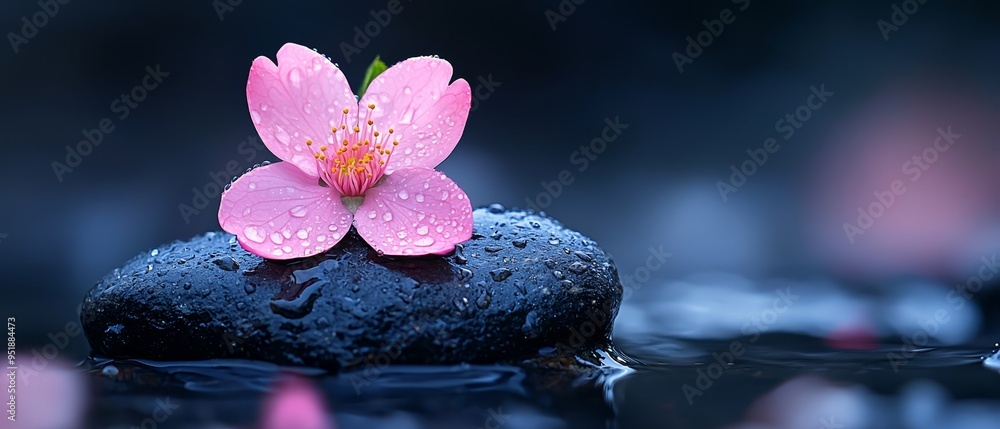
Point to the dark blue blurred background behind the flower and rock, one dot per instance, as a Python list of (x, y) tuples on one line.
[(840, 153)]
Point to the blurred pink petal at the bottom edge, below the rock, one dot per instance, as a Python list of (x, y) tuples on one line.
[(296, 403)]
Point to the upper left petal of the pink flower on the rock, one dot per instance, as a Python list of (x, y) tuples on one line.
[(299, 99)]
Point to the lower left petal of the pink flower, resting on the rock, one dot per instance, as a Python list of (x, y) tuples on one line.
[(278, 212)]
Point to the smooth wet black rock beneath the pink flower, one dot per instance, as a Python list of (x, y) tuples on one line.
[(523, 285)]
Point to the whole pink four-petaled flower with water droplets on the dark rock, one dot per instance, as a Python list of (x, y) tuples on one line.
[(369, 162)]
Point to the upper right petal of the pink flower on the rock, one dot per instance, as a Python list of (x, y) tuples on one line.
[(428, 114)]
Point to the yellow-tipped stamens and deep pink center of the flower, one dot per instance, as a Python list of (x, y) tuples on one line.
[(357, 158)]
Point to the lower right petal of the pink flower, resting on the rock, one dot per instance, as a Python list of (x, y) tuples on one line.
[(415, 211)]
